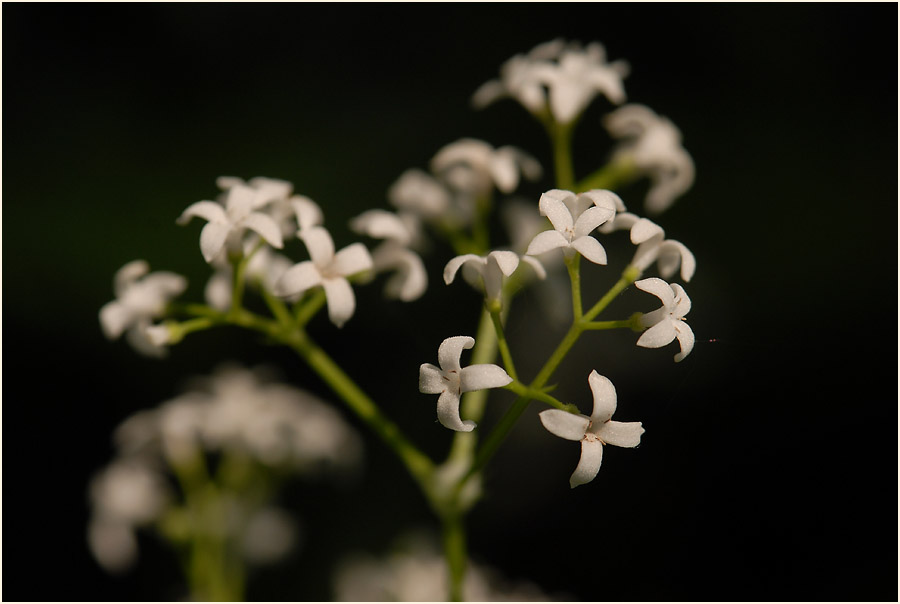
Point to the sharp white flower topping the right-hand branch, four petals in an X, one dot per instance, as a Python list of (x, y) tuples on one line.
[(573, 218)]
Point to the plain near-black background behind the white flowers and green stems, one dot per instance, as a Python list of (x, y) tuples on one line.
[(768, 471)]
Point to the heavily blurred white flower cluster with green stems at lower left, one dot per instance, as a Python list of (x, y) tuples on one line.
[(235, 433)]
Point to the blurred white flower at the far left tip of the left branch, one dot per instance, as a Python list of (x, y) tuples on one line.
[(140, 298)]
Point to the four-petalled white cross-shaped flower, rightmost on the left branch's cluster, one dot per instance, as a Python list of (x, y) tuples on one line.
[(328, 269)]
